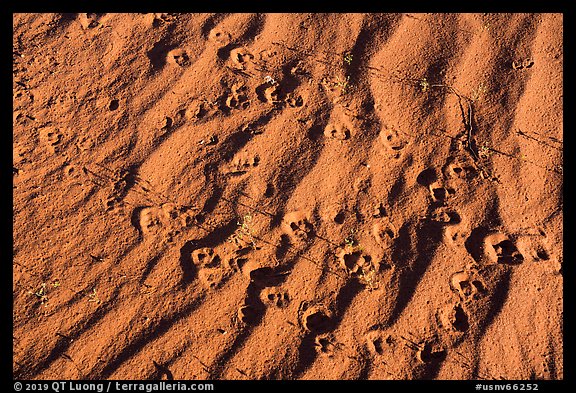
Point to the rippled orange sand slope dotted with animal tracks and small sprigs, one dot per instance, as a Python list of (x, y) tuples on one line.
[(287, 196)]
